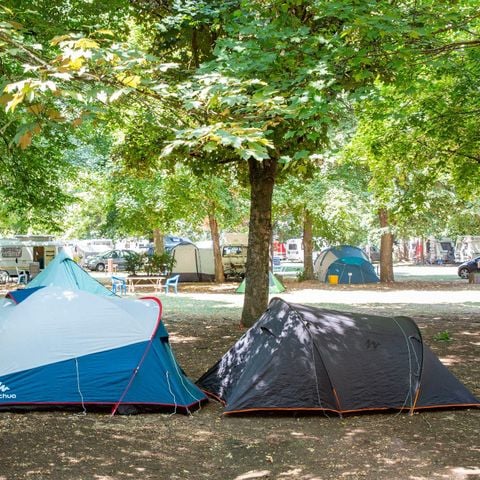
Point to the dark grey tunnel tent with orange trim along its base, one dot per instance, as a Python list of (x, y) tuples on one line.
[(298, 357)]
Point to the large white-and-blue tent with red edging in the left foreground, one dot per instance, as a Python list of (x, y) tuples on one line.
[(69, 347)]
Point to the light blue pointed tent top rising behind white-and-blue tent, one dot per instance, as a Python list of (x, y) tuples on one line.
[(64, 272)]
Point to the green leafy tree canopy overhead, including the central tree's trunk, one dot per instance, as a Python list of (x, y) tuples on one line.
[(199, 96)]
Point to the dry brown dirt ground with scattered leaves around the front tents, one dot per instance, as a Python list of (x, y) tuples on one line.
[(206, 445)]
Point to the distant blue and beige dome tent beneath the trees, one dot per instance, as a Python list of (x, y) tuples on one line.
[(347, 262)]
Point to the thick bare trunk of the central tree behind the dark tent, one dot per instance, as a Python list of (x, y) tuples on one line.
[(262, 179)]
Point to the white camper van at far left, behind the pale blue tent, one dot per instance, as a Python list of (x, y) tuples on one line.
[(27, 253)]
